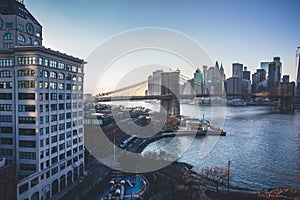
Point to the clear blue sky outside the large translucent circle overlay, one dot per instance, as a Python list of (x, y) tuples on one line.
[(230, 31)]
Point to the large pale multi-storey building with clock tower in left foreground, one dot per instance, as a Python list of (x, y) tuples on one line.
[(41, 104)]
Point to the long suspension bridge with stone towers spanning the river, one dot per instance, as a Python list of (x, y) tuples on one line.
[(170, 97)]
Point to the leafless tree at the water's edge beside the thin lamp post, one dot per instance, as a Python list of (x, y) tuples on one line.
[(216, 175)]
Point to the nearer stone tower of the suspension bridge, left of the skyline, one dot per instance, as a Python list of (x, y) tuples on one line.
[(170, 86)]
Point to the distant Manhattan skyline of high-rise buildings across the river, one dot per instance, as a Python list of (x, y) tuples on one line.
[(212, 80)]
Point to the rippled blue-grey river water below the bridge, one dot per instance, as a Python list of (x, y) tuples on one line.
[(263, 146)]
